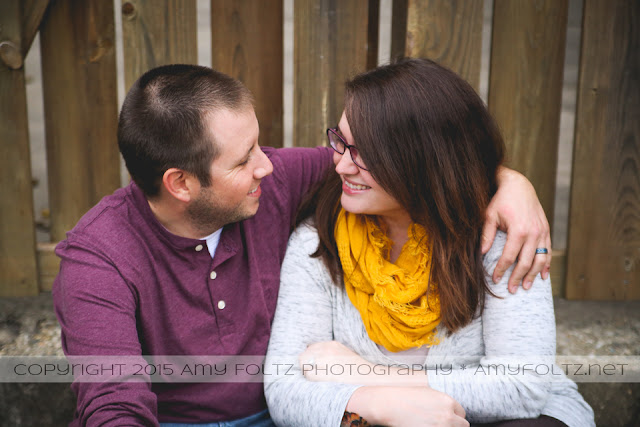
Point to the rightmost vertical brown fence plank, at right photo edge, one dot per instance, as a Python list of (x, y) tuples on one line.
[(604, 222)]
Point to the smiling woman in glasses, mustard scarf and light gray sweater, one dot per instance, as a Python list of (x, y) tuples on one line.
[(388, 275)]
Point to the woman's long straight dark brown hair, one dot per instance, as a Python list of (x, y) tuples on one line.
[(429, 141)]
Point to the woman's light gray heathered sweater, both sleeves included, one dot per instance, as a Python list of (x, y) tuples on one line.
[(469, 365)]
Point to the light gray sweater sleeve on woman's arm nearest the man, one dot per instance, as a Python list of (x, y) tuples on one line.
[(303, 317)]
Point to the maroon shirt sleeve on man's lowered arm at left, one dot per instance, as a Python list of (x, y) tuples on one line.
[(97, 313)]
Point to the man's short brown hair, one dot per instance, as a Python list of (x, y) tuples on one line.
[(162, 122)]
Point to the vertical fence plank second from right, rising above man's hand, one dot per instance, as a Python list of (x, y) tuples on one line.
[(525, 86)]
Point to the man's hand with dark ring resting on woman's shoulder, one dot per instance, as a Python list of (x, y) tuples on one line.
[(515, 208)]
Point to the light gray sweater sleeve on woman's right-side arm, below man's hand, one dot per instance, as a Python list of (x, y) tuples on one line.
[(511, 380)]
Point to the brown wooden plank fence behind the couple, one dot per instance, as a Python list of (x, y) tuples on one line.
[(333, 39)]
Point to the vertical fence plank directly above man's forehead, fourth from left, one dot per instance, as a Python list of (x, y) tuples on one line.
[(246, 43)]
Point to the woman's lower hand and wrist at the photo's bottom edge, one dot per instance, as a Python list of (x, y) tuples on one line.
[(406, 406)]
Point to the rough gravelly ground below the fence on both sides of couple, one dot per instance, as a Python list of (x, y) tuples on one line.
[(28, 326)]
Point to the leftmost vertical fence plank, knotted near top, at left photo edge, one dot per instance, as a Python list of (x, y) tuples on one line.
[(18, 273)]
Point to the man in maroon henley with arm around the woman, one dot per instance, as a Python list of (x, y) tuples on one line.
[(186, 259)]
